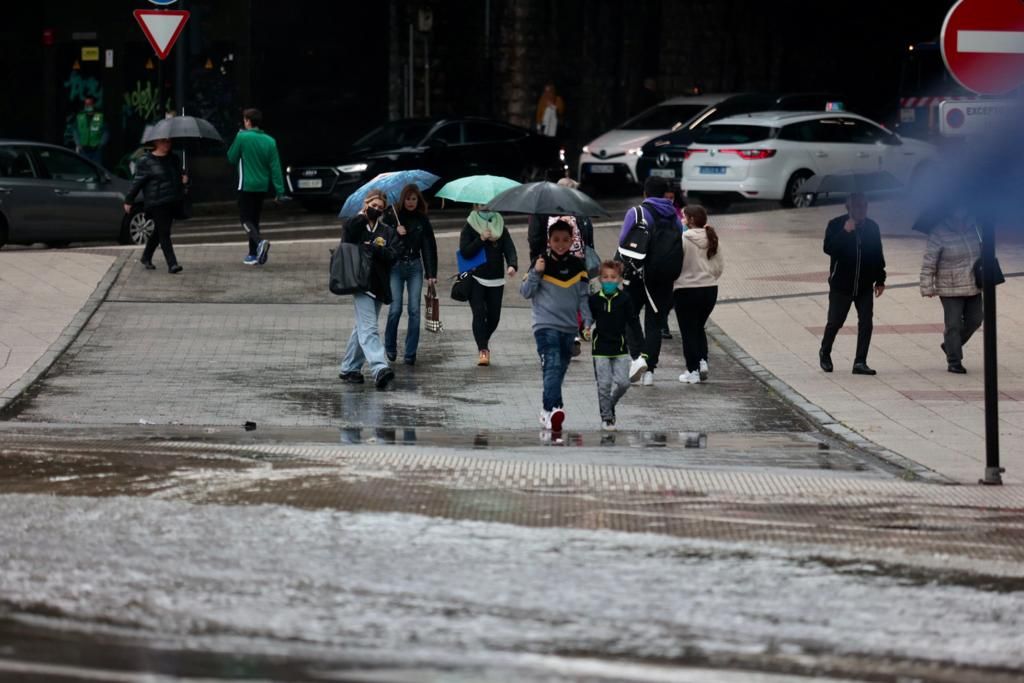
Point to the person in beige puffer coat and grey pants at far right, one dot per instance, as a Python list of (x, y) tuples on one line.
[(948, 272)]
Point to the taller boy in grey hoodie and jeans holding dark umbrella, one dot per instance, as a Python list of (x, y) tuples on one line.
[(559, 289)]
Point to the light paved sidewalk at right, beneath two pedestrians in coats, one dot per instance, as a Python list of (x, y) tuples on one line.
[(774, 305)]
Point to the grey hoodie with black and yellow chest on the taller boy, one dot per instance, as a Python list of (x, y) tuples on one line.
[(559, 293)]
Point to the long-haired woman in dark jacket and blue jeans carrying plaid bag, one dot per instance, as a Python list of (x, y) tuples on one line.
[(416, 249)]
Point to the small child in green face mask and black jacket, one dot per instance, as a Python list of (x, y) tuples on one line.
[(616, 340)]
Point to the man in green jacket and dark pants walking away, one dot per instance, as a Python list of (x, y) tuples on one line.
[(255, 154)]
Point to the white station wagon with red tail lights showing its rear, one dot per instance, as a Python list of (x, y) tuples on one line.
[(771, 155)]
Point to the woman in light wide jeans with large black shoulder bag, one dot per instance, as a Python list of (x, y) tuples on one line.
[(377, 238)]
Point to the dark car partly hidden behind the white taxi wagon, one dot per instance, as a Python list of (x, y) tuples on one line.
[(664, 155)]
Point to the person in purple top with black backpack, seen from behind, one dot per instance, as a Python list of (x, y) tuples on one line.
[(651, 246)]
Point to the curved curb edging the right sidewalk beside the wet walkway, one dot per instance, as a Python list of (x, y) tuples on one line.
[(820, 418)]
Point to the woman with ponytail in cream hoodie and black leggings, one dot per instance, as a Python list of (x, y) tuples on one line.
[(697, 291)]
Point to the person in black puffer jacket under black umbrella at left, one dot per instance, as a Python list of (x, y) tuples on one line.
[(161, 180)]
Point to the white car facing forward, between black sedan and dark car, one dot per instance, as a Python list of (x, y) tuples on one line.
[(610, 161)]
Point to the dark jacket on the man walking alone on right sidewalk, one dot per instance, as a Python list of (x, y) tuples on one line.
[(858, 263)]
